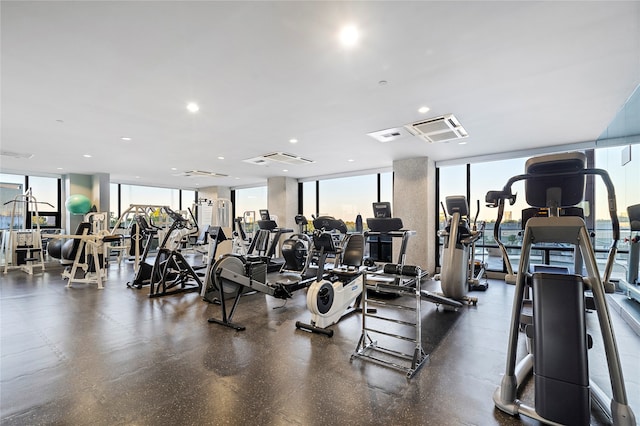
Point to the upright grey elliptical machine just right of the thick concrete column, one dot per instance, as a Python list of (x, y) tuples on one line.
[(457, 274)]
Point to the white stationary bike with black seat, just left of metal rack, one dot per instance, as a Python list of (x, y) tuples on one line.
[(333, 296)]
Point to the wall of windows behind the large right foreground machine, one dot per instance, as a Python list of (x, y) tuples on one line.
[(492, 175)]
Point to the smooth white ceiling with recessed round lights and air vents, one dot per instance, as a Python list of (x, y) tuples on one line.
[(77, 76)]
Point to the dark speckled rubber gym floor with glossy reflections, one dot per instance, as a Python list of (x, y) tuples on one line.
[(82, 356)]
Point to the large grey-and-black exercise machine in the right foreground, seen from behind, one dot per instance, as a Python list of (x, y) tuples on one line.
[(556, 335)]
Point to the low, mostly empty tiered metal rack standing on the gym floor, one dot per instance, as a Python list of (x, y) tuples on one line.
[(368, 348)]
